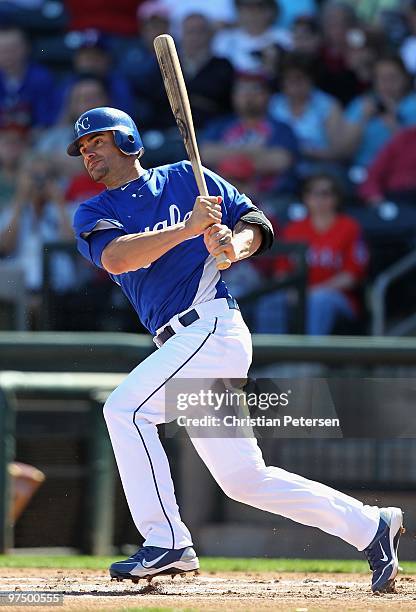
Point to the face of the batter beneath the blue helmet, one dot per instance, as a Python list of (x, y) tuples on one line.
[(102, 158)]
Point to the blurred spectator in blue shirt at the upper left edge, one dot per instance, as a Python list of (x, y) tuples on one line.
[(27, 91)]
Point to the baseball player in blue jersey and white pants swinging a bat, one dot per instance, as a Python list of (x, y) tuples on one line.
[(158, 239)]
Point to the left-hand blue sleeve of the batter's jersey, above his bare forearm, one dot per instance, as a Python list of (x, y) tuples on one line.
[(93, 232)]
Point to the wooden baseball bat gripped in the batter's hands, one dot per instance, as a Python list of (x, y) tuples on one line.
[(170, 68)]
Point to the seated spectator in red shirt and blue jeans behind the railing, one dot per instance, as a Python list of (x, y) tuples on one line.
[(337, 260)]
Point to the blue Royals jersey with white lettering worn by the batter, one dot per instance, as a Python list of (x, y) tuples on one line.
[(184, 276)]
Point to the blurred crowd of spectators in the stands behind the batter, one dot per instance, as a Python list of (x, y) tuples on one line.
[(308, 107)]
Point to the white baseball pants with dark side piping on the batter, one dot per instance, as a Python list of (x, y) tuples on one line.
[(218, 345)]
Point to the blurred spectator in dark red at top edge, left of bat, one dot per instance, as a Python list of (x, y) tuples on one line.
[(106, 15)]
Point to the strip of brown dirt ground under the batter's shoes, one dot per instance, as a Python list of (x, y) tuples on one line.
[(92, 590)]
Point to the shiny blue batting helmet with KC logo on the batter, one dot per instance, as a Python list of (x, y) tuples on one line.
[(106, 119)]
